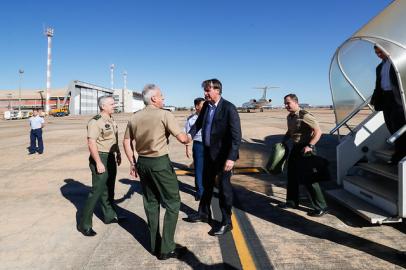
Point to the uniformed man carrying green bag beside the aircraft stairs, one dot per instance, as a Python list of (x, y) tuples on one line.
[(304, 131)]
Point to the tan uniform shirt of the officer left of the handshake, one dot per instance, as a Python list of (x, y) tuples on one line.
[(104, 130)]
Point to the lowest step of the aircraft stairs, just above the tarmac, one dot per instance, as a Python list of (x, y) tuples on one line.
[(371, 213)]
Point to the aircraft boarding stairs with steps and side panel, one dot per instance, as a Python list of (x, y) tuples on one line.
[(368, 184)]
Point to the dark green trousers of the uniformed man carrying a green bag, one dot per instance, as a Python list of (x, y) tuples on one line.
[(316, 196)]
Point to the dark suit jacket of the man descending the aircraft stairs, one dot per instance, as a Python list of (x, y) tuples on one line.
[(377, 96)]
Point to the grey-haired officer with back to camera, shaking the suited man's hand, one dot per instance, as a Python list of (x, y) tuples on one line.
[(150, 129)]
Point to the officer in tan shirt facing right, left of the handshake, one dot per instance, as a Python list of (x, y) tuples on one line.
[(102, 139)]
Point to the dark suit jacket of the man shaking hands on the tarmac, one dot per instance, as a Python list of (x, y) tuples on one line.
[(225, 136)]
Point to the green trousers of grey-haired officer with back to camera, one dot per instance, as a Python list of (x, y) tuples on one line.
[(160, 186)]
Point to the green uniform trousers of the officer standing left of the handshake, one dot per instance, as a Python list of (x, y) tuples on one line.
[(102, 189)]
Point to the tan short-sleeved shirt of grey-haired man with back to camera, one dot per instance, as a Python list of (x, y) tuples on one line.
[(151, 128)]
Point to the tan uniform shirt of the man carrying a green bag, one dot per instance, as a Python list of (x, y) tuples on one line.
[(301, 125)]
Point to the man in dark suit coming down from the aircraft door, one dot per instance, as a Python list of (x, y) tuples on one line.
[(386, 98)]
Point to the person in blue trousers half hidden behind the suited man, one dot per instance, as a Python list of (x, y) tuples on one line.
[(198, 148)]
